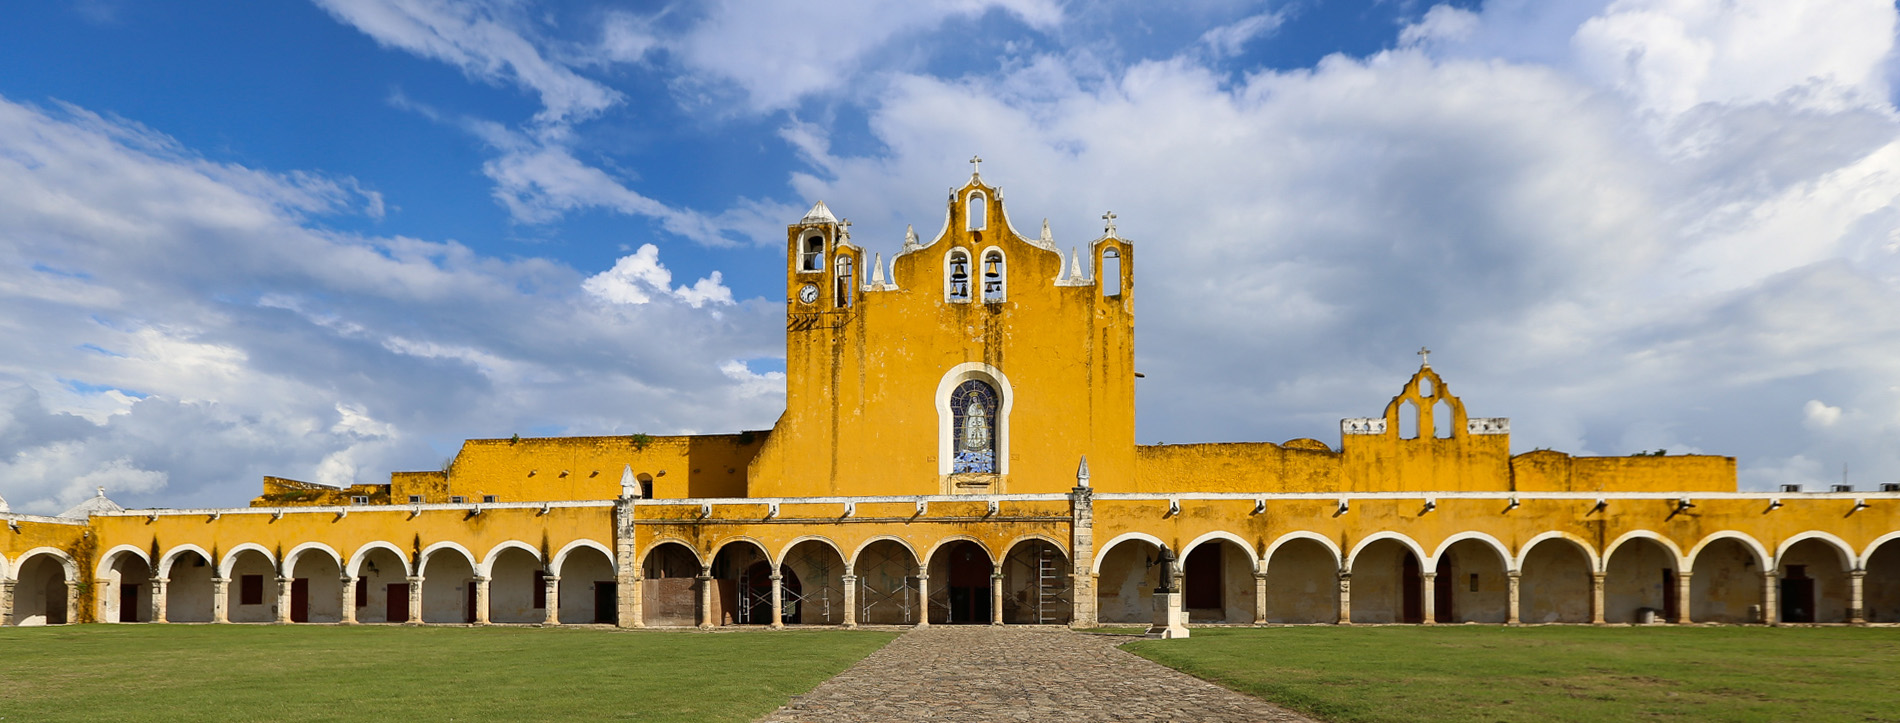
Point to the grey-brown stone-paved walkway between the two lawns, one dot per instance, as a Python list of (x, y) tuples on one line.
[(1017, 675)]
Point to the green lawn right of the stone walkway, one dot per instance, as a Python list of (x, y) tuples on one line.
[(1553, 673)]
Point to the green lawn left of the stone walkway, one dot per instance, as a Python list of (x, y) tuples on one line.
[(238, 673)]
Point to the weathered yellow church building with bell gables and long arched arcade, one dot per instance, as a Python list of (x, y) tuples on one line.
[(959, 447)]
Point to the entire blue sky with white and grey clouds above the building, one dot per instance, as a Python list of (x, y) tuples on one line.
[(332, 240)]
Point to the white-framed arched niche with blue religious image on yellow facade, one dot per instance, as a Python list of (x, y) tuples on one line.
[(974, 403)]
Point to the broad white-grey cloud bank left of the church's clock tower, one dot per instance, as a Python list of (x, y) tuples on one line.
[(183, 327)]
